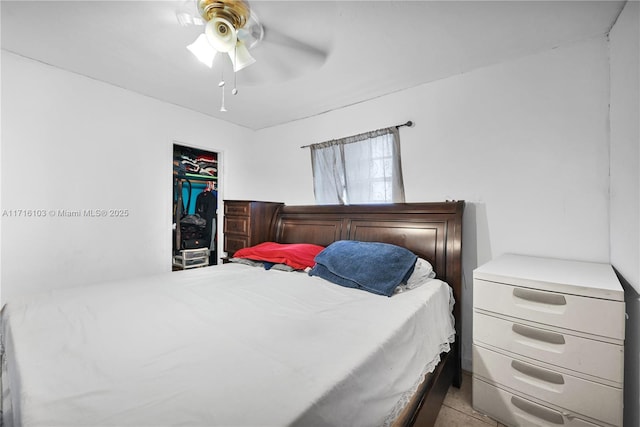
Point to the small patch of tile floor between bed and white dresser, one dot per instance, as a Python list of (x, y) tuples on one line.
[(456, 410)]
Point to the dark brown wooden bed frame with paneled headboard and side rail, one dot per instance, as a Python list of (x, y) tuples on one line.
[(432, 231)]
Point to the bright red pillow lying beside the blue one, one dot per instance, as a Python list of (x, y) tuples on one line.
[(296, 255)]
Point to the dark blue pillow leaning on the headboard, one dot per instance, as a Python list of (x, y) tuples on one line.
[(371, 266)]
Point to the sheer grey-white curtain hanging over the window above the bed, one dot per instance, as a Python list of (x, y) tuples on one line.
[(364, 168)]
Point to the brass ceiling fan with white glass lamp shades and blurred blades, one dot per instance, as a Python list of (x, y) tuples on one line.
[(232, 28)]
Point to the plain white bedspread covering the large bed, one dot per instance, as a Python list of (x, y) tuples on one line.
[(230, 345)]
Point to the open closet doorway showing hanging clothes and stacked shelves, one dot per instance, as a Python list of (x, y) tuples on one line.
[(195, 207)]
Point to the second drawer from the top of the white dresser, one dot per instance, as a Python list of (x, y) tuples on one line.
[(592, 357)]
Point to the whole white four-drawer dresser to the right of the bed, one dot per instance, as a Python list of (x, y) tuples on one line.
[(548, 342)]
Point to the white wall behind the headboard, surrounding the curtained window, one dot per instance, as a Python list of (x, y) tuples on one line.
[(524, 142)]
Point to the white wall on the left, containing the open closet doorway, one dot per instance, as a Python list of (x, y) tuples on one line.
[(73, 143)]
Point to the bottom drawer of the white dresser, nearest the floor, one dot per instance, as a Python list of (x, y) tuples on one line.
[(515, 411)]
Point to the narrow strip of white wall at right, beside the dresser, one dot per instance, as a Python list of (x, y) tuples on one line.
[(625, 188)]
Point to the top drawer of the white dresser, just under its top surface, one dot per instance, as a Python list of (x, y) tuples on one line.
[(551, 308)]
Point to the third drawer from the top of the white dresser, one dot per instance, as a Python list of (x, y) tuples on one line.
[(592, 399)]
